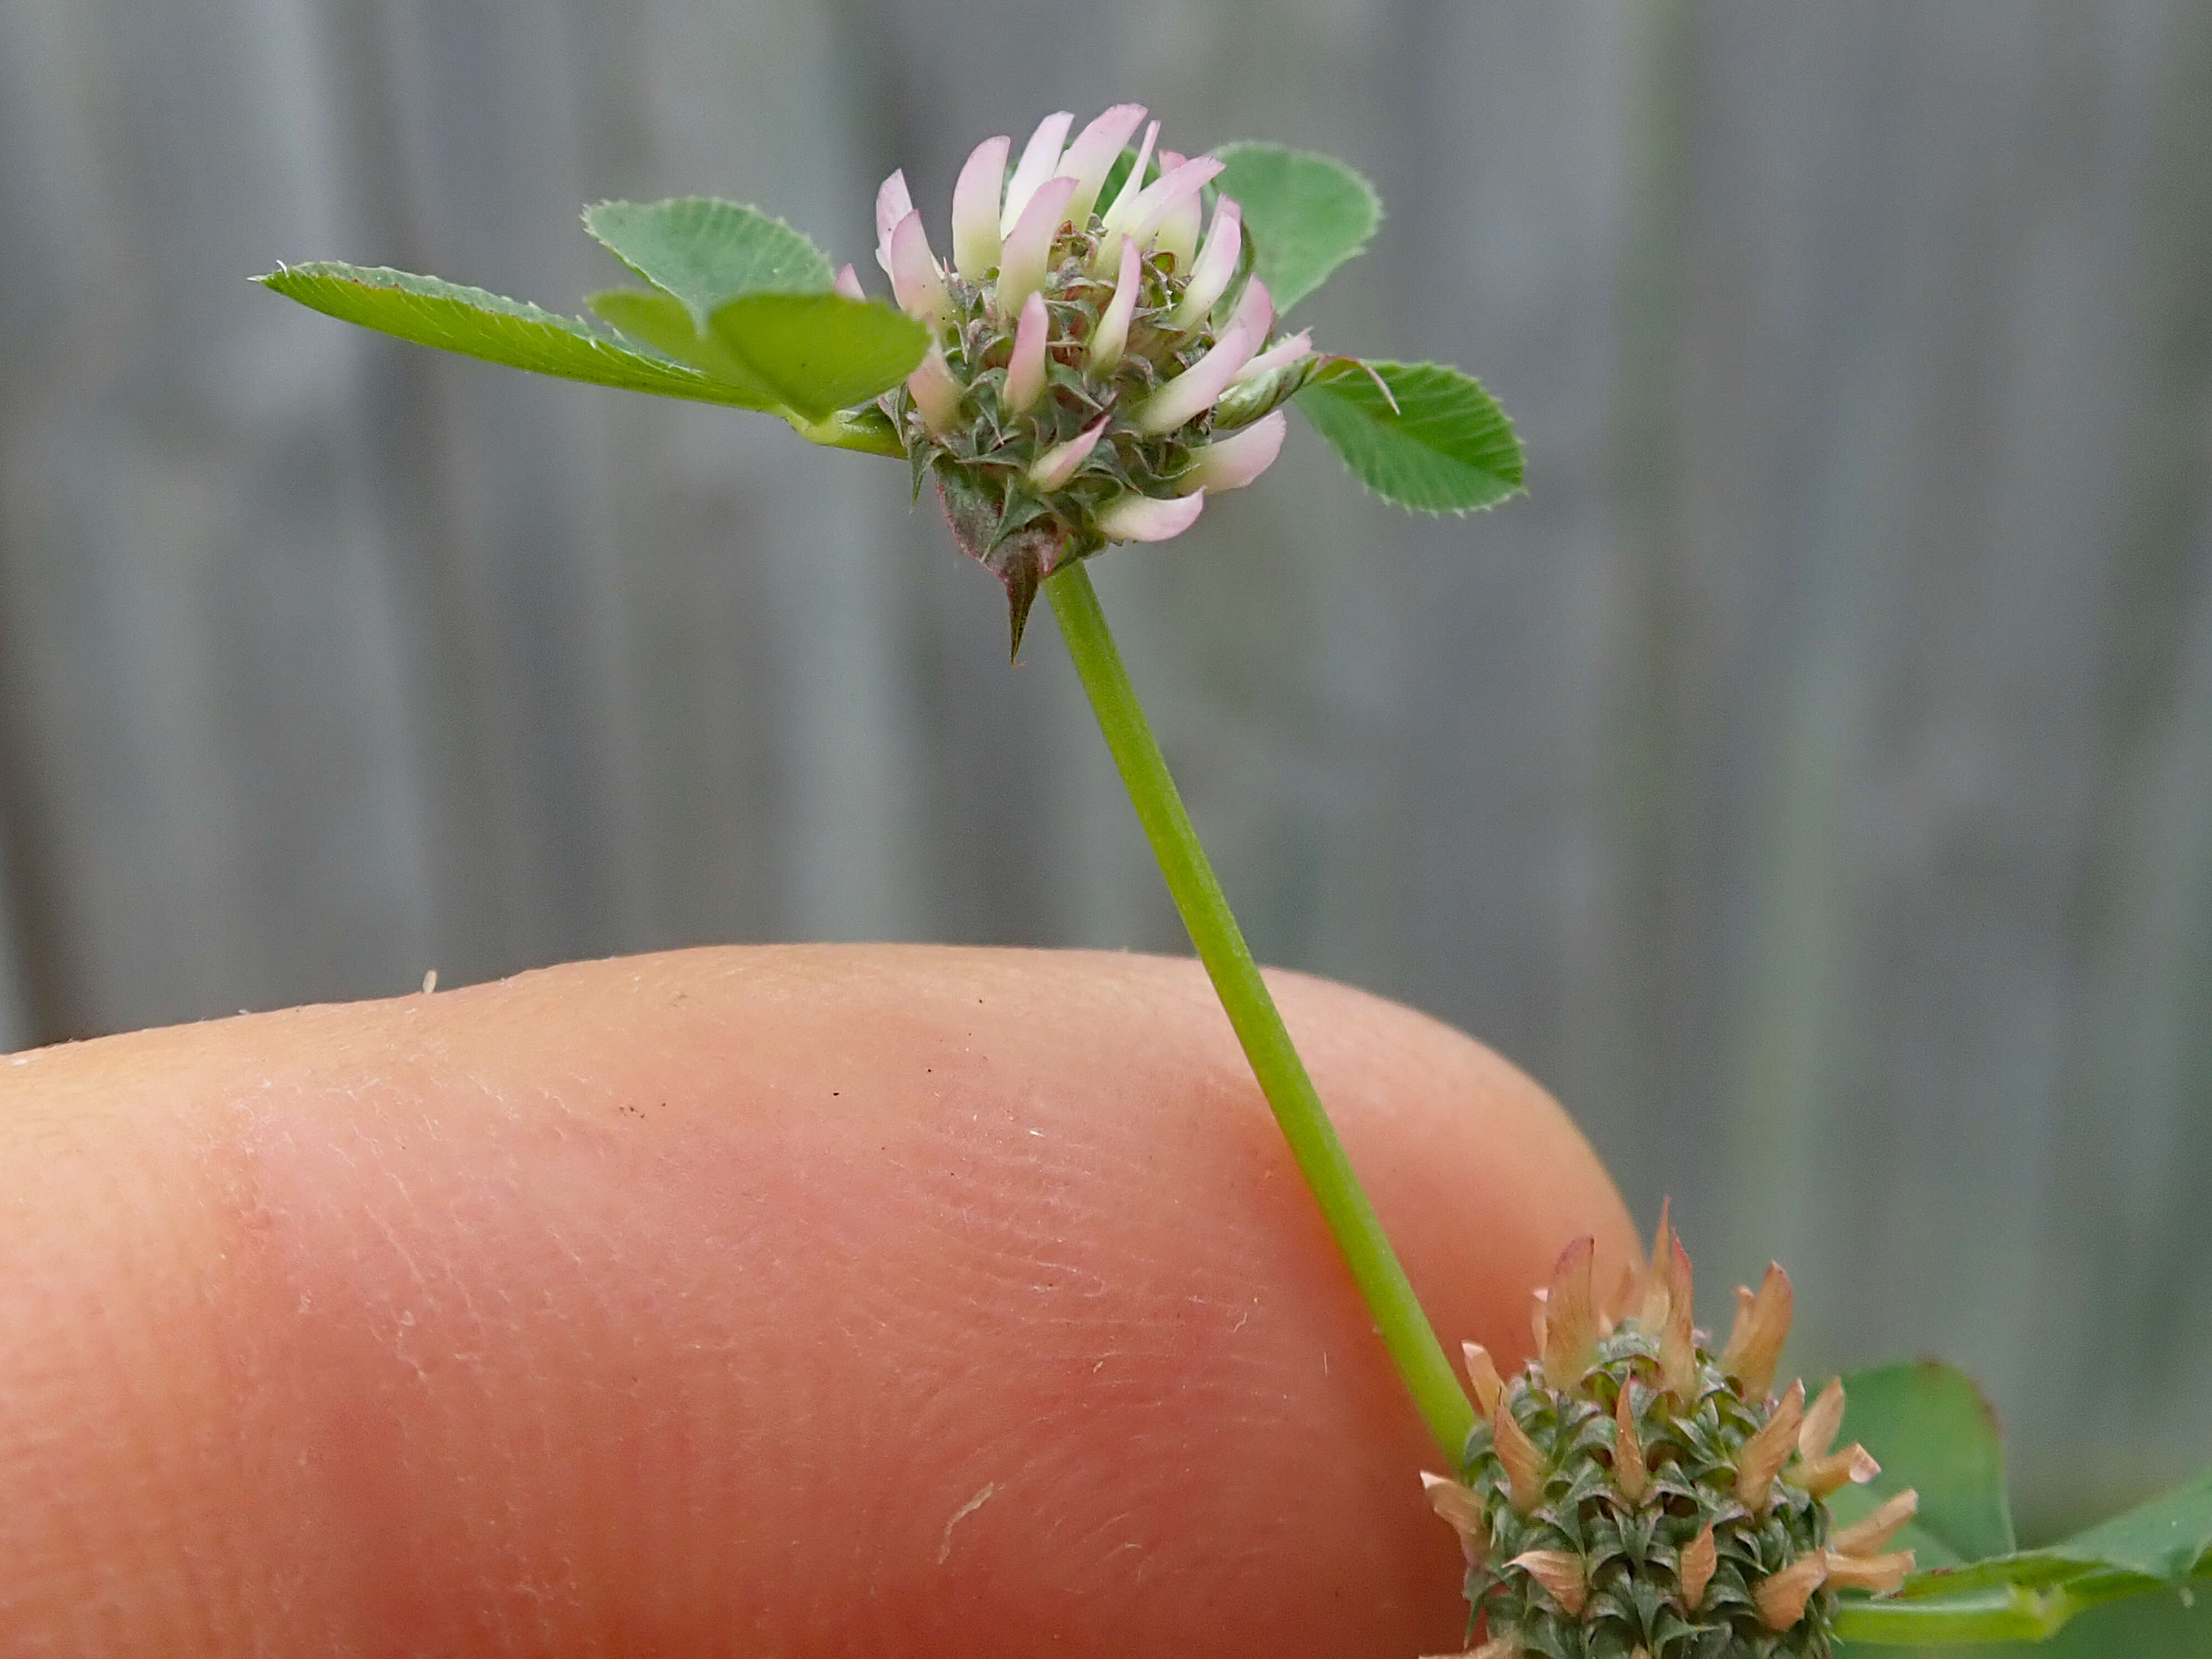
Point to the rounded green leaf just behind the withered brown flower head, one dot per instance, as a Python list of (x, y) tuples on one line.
[(1932, 1430)]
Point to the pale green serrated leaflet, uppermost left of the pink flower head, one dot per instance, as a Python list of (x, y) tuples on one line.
[(709, 253)]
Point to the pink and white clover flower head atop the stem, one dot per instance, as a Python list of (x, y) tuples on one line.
[(1103, 357)]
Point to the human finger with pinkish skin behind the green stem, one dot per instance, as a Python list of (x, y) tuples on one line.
[(758, 1302)]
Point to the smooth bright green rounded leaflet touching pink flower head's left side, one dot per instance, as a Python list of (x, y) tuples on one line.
[(820, 353)]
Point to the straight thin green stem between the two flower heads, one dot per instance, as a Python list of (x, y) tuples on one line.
[(1253, 1014)]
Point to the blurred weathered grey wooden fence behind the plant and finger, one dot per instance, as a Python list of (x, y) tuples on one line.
[(1811, 782)]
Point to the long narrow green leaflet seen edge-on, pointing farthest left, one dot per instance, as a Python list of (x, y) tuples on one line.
[(492, 328)]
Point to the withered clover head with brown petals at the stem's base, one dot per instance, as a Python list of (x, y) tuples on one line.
[(1634, 1496)]
